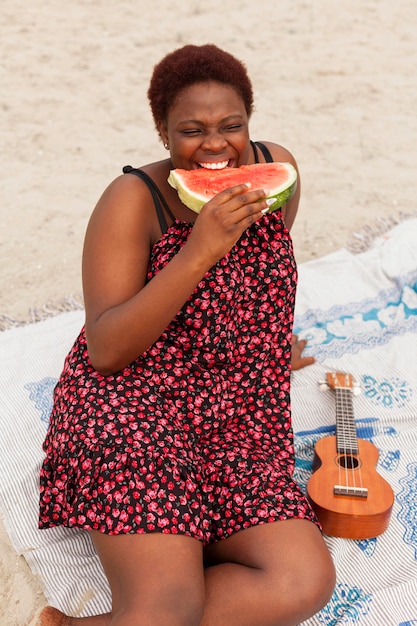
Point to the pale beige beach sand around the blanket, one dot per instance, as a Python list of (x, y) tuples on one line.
[(334, 82)]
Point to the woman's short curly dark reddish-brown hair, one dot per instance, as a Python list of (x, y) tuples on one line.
[(193, 64)]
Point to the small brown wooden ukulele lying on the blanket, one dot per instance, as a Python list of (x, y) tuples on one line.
[(350, 498)]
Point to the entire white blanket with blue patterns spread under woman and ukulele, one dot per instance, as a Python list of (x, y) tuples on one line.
[(359, 314)]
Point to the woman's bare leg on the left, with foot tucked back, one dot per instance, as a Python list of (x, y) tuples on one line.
[(155, 580)]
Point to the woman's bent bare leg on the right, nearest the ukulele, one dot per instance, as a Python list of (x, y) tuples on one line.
[(268, 575)]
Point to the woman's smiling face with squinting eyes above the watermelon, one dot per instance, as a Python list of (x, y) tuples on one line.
[(207, 126)]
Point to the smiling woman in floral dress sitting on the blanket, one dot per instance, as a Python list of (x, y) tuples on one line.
[(170, 439)]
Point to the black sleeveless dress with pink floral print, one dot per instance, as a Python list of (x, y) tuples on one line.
[(194, 436)]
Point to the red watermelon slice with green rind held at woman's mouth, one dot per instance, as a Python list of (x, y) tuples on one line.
[(196, 187)]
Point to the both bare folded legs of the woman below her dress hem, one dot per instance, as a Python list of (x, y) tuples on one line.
[(268, 575)]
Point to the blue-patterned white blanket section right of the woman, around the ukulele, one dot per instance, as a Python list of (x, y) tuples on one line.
[(359, 314)]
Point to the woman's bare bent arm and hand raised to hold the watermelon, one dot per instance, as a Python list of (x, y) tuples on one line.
[(124, 316)]
